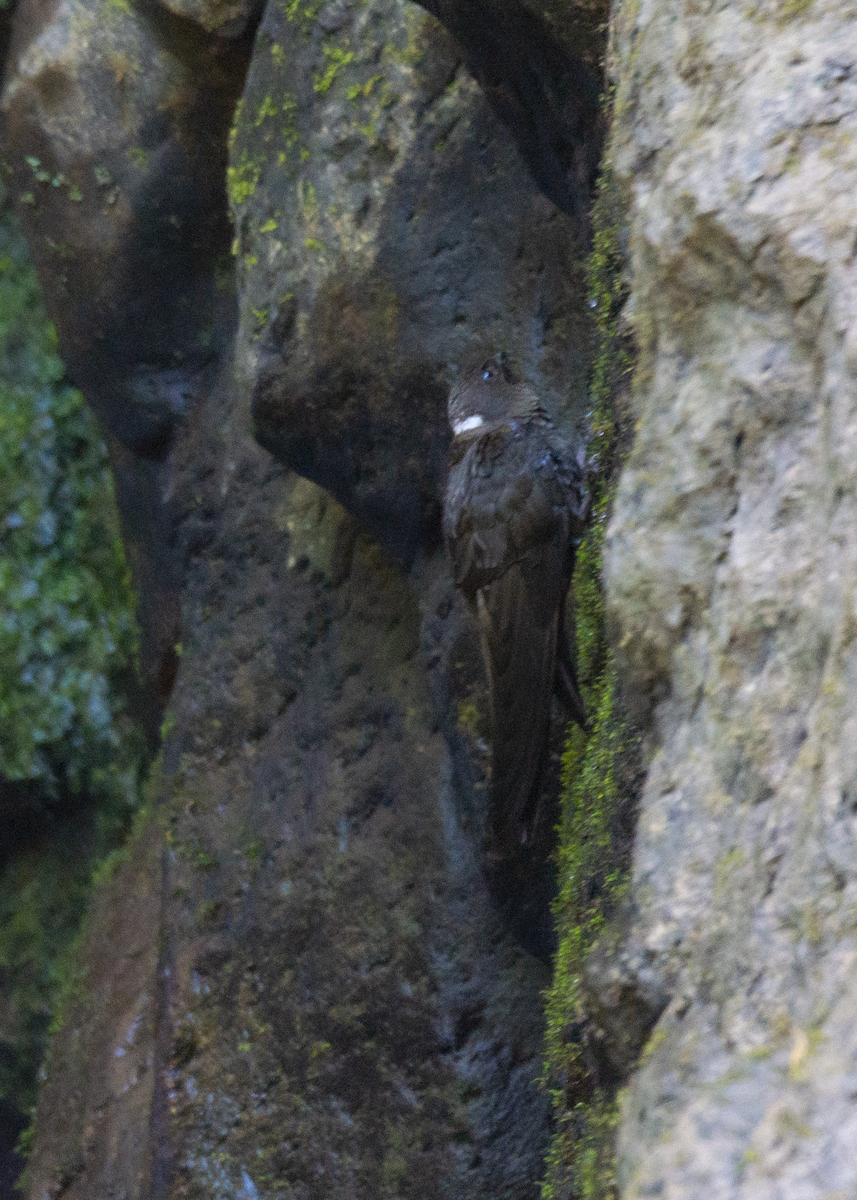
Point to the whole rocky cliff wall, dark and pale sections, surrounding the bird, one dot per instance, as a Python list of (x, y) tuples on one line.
[(301, 982)]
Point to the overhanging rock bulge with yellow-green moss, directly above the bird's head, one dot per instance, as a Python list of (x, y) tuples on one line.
[(385, 224)]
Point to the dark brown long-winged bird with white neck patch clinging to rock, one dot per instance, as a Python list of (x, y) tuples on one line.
[(514, 512)]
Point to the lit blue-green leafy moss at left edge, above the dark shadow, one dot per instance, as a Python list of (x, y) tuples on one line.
[(68, 626)]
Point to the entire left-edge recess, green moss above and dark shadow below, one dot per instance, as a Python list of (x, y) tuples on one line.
[(70, 753)]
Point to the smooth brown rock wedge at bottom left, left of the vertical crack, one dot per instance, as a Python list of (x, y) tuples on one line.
[(95, 1111)]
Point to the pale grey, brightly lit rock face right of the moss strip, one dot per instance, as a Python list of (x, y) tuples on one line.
[(732, 585)]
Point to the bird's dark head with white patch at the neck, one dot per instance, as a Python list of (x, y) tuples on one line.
[(488, 393)]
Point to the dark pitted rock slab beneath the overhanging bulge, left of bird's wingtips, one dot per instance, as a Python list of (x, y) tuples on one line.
[(343, 1009)]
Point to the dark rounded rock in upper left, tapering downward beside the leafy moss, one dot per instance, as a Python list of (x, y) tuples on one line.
[(116, 124)]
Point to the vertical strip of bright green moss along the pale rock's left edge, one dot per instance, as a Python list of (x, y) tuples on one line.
[(594, 841)]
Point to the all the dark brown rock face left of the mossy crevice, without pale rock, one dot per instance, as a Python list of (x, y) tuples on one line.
[(301, 981)]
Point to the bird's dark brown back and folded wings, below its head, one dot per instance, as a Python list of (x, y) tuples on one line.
[(508, 527)]
